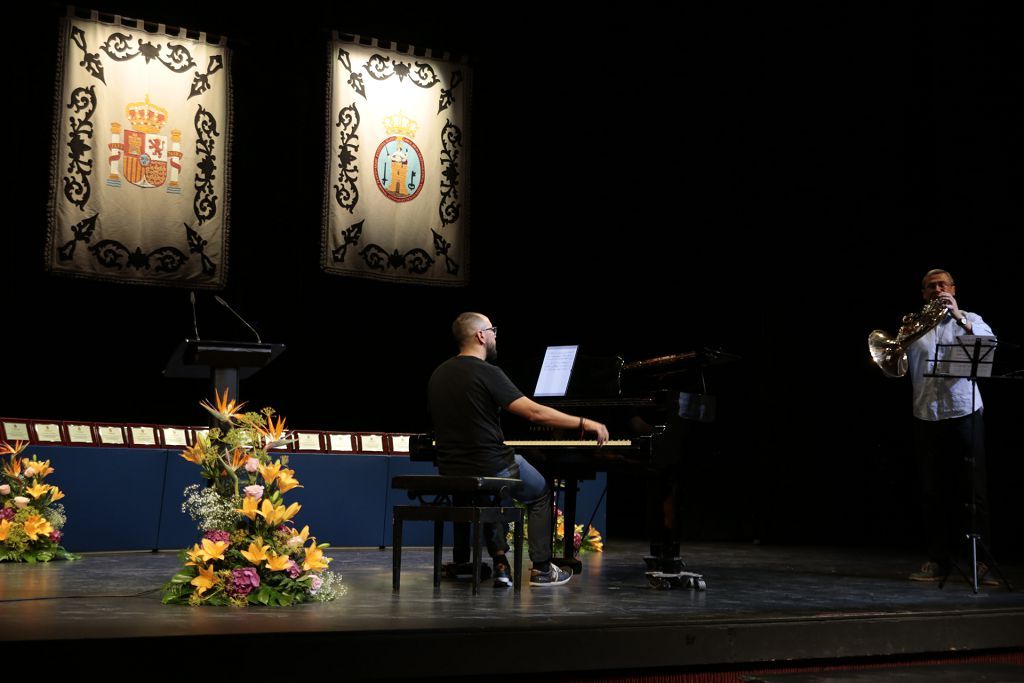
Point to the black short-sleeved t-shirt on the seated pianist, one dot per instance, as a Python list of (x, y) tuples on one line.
[(465, 398)]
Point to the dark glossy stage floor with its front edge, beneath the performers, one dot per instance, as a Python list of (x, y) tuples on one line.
[(766, 610)]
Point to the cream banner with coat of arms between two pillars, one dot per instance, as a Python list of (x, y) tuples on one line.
[(140, 188)]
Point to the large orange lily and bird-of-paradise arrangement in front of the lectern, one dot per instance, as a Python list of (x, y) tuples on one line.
[(251, 552)]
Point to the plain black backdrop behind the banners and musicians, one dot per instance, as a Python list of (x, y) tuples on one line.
[(772, 183)]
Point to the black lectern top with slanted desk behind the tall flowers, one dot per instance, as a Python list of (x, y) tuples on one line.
[(227, 364)]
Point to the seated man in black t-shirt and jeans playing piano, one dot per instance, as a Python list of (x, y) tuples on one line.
[(466, 396)]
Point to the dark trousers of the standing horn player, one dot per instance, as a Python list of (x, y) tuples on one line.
[(952, 480)]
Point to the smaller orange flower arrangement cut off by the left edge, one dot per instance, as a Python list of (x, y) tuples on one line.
[(30, 523)]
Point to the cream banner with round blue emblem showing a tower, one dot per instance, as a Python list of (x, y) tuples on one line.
[(397, 204)]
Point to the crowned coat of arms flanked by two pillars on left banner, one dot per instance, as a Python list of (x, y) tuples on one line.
[(143, 155)]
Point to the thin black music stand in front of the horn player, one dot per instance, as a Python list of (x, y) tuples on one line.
[(969, 358)]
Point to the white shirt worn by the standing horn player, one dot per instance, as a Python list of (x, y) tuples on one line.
[(943, 398)]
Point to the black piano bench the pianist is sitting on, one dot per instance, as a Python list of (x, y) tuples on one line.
[(486, 493)]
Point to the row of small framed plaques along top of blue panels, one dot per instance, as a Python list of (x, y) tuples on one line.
[(69, 434)]
